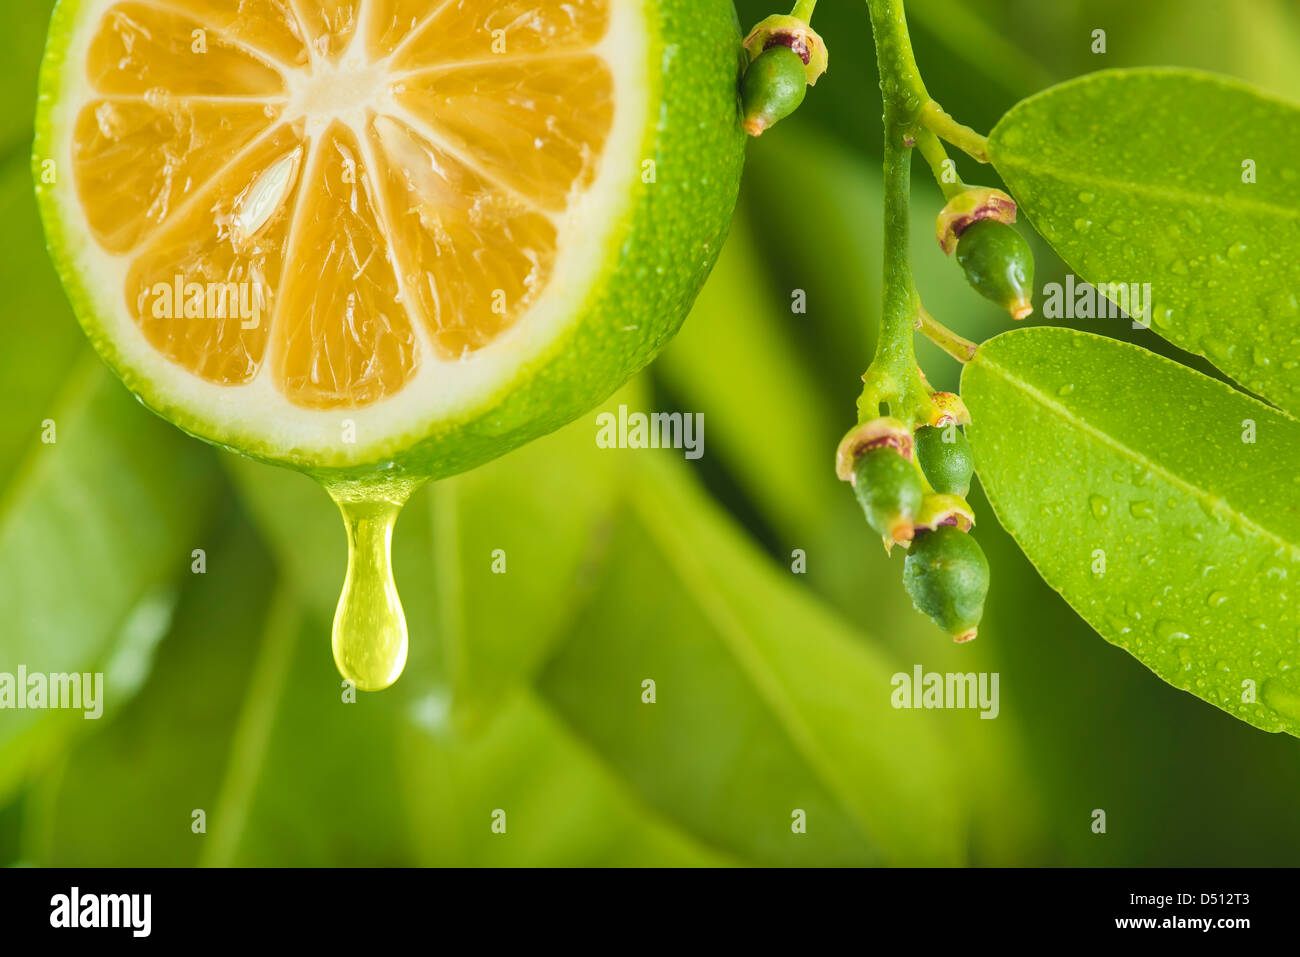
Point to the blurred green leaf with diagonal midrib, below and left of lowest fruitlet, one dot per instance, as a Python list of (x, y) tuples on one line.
[(765, 704)]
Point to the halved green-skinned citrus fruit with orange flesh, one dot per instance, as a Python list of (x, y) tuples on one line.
[(345, 235)]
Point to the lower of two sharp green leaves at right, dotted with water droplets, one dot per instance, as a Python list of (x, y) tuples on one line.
[(1162, 504)]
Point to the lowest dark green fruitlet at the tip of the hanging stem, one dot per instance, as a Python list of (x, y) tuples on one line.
[(947, 577)]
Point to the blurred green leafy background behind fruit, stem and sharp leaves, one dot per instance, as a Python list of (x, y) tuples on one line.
[(525, 691)]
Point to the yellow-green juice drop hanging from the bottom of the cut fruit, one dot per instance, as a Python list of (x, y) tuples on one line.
[(370, 636)]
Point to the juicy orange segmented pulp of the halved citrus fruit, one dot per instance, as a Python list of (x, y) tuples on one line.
[(376, 185)]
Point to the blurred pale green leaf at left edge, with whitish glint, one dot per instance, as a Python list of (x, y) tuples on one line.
[(101, 503)]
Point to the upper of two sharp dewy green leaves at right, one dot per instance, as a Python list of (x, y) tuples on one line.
[(1136, 177)]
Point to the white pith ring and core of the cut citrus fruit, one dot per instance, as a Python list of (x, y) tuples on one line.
[(258, 415)]
